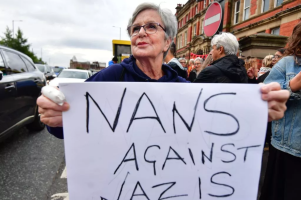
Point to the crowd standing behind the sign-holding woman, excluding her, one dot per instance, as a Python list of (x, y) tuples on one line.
[(283, 174)]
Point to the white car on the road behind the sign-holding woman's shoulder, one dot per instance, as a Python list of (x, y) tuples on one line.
[(71, 76)]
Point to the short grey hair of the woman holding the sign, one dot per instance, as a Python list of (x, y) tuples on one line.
[(169, 20)]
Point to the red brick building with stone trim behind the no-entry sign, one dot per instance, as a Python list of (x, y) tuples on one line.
[(261, 26)]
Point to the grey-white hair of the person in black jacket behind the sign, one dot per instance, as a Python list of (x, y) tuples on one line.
[(228, 41)]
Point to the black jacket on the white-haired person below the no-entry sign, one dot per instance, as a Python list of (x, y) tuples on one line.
[(228, 69)]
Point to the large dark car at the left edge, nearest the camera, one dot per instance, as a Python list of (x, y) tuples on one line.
[(20, 86)]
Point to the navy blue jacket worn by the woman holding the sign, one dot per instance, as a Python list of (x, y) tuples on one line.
[(126, 71)]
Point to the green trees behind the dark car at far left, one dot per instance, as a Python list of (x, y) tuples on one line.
[(19, 43)]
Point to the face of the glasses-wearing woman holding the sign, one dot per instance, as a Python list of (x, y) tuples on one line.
[(149, 45)]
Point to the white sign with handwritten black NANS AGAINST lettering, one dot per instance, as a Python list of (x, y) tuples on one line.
[(139, 141)]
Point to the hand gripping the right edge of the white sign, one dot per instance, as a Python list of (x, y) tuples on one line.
[(276, 99)]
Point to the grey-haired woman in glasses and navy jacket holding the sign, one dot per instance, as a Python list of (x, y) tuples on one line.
[(151, 30)]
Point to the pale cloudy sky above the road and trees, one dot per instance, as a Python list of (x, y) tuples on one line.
[(57, 30)]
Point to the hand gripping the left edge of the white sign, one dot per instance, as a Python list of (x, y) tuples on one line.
[(51, 113)]
